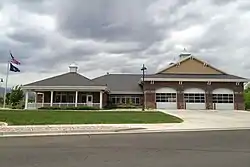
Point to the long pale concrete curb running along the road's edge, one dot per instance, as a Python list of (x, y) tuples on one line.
[(108, 132)]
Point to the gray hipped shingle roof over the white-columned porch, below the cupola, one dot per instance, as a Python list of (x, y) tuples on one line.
[(67, 79)]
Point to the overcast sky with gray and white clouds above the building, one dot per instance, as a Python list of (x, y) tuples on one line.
[(118, 36)]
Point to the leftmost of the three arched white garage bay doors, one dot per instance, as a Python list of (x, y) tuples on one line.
[(166, 98)]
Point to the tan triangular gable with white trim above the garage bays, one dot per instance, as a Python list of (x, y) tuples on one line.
[(191, 65)]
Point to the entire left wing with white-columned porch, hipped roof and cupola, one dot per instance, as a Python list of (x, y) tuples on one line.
[(66, 90)]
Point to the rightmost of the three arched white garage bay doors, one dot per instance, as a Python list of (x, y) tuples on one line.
[(223, 99)]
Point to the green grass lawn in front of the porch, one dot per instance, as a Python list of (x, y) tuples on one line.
[(84, 117)]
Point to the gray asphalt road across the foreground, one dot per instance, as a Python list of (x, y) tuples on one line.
[(184, 149)]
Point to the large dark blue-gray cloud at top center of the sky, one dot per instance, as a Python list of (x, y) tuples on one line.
[(107, 20)]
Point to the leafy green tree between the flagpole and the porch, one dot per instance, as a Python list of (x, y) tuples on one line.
[(16, 95)]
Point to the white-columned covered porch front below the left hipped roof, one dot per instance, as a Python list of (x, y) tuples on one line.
[(65, 96)]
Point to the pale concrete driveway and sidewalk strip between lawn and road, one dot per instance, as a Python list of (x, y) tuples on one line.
[(193, 121)]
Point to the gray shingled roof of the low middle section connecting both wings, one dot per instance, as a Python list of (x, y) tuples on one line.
[(121, 82)]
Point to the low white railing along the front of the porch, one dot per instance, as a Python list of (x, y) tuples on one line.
[(39, 105)]
